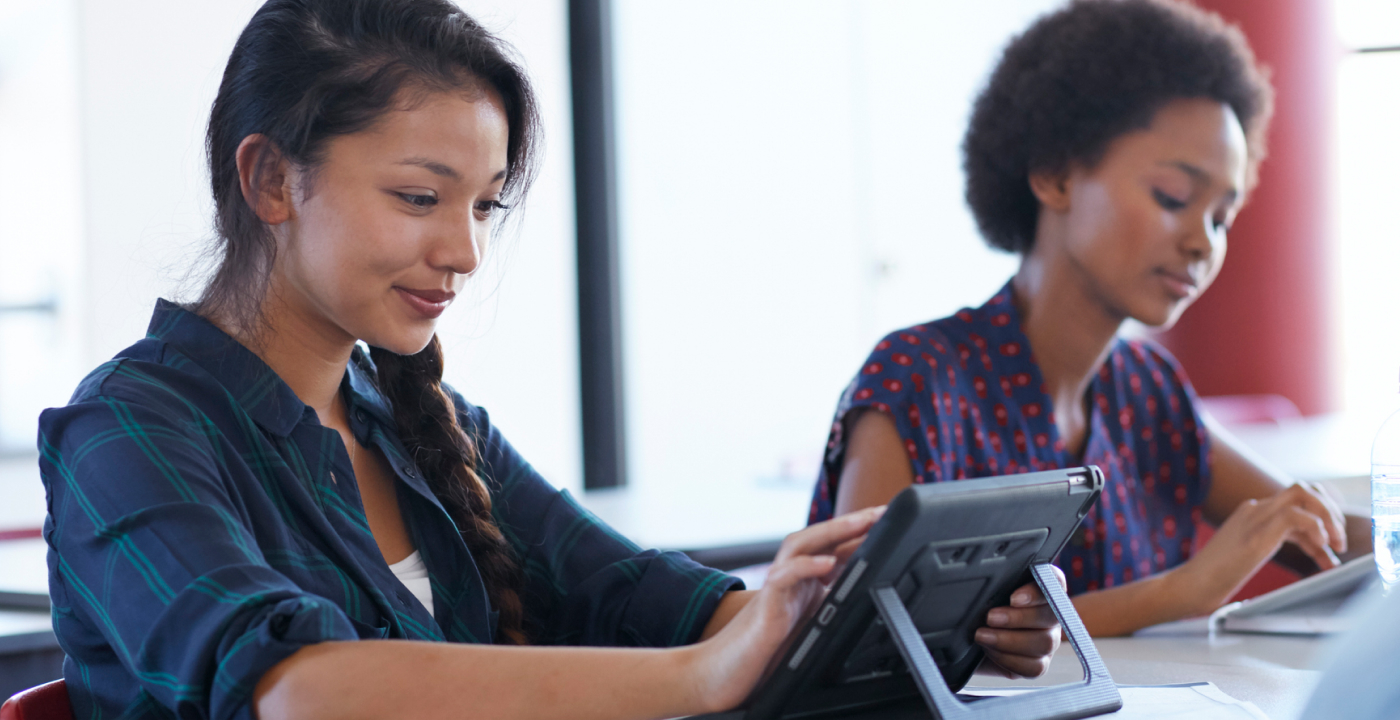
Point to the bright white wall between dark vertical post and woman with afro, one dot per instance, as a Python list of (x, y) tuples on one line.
[(792, 190)]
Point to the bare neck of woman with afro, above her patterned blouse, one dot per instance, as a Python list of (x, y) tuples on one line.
[(1069, 328)]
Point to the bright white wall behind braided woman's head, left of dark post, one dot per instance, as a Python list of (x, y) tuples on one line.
[(149, 75)]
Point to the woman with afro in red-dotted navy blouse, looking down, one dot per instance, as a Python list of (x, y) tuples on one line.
[(1112, 149)]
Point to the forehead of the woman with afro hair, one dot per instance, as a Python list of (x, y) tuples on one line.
[(1203, 134)]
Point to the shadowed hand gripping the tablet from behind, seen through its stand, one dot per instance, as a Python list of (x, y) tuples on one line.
[(1021, 639)]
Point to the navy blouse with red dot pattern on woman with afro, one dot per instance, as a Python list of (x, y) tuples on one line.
[(969, 401)]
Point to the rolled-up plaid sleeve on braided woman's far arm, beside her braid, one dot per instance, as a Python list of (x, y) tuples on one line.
[(584, 583)]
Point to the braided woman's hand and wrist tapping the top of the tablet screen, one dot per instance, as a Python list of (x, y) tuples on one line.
[(729, 666)]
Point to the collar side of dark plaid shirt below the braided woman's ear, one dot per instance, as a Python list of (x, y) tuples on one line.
[(262, 394)]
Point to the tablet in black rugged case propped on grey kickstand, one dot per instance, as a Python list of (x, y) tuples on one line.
[(898, 624)]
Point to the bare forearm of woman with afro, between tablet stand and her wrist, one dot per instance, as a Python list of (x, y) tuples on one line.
[(1135, 606)]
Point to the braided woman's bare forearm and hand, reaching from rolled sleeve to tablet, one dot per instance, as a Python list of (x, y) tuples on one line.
[(428, 680)]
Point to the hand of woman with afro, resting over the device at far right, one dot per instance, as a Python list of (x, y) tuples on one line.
[(1251, 536)]
